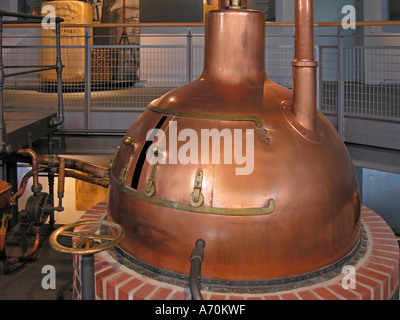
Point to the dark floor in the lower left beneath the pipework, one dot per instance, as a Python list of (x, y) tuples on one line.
[(25, 282)]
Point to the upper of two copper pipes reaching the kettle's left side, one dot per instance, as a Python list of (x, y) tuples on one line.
[(92, 169)]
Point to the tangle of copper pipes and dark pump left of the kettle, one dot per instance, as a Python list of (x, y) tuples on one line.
[(39, 208)]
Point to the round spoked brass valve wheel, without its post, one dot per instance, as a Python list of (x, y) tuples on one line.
[(85, 244)]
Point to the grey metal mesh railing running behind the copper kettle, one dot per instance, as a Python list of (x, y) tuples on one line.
[(354, 81)]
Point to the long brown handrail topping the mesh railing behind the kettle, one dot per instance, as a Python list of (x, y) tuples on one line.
[(200, 24)]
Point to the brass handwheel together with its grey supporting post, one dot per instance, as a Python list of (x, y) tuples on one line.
[(87, 247)]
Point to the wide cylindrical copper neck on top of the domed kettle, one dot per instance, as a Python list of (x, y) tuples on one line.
[(234, 50)]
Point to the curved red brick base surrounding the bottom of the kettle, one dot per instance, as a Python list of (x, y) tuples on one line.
[(377, 274)]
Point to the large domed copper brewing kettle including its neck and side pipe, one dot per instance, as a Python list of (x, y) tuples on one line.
[(297, 211)]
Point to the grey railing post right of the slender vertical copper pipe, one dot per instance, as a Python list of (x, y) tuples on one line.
[(341, 87)]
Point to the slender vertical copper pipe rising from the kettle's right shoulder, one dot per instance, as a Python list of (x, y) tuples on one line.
[(304, 66)]
